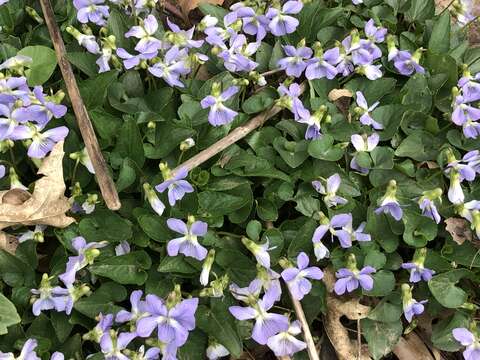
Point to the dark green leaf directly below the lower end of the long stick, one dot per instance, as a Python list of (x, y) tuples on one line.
[(105, 225)]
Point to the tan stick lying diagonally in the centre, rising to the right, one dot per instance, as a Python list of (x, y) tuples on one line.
[(237, 134)]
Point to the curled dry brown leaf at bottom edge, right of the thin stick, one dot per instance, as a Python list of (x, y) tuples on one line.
[(336, 308)]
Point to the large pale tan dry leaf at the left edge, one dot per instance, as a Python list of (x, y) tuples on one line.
[(47, 205)]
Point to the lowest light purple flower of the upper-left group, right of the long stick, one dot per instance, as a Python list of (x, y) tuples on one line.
[(171, 67)]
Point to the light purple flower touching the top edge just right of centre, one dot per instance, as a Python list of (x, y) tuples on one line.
[(280, 21)]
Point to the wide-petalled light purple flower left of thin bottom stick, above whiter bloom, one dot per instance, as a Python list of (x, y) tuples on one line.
[(266, 324)]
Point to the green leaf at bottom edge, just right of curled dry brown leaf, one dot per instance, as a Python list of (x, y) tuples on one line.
[(381, 337)]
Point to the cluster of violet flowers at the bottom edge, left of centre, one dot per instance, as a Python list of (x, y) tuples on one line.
[(171, 320)]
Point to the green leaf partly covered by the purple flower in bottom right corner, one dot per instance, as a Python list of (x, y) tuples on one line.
[(442, 337)]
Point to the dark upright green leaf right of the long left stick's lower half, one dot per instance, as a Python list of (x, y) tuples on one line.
[(129, 144)]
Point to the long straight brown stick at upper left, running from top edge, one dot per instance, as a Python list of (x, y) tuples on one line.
[(105, 182)]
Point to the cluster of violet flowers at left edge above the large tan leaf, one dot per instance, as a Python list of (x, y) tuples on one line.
[(25, 113)]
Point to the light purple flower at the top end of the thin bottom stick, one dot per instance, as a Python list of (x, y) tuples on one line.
[(297, 278)]
